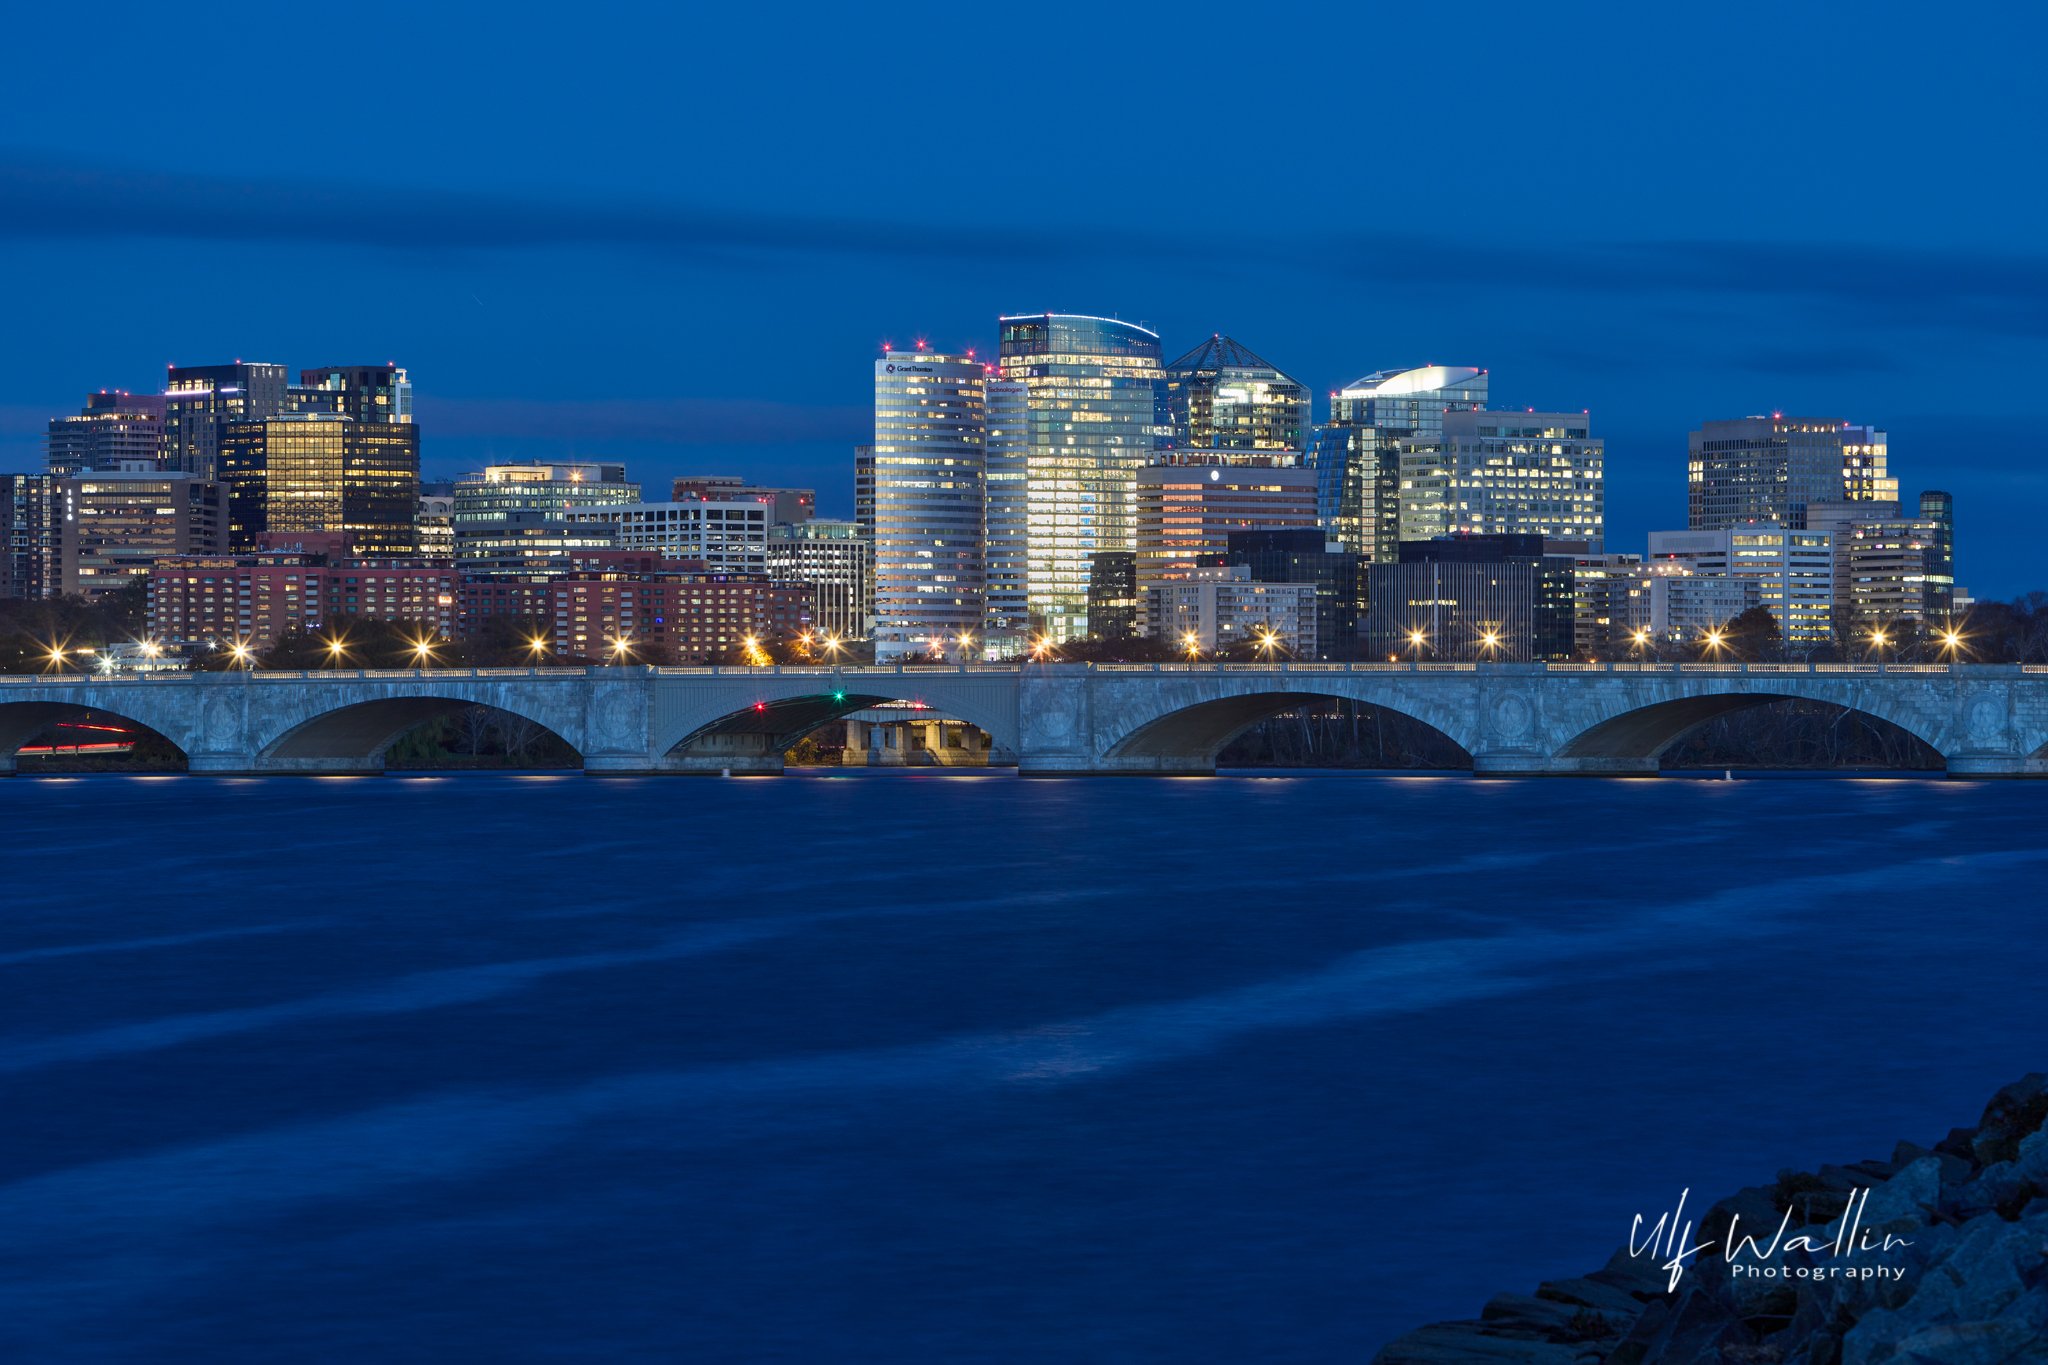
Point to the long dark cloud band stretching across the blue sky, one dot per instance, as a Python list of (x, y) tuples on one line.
[(46, 200)]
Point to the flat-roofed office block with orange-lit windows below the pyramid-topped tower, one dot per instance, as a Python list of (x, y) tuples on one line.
[(1189, 511)]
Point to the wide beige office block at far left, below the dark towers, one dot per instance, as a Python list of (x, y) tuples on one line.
[(116, 525)]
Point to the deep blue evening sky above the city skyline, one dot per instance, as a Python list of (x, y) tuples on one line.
[(677, 234)]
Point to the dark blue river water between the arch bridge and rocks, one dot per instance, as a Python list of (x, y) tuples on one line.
[(949, 1067)]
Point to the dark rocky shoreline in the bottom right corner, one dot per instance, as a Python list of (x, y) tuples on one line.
[(1949, 1249)]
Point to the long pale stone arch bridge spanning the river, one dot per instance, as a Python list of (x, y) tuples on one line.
[(1514, 719)]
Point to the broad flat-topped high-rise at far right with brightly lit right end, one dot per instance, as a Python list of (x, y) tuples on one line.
[(1770, 470)]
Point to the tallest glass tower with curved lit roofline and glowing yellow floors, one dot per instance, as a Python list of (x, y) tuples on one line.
[(1093, 396)]
